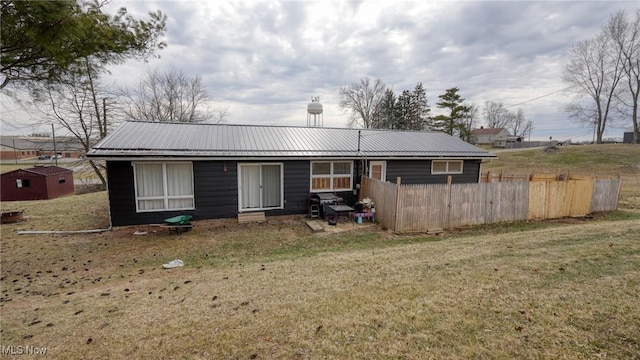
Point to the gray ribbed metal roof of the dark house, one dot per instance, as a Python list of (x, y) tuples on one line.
[(140, 139)]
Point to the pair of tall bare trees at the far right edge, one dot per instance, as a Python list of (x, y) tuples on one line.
[(604, 76)]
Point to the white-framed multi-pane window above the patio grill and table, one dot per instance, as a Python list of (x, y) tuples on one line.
[(331, 175)]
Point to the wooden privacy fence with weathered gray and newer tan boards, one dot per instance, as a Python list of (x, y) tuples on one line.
[(412, 208)]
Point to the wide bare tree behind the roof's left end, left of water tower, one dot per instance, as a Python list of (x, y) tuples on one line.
[(170, 97)]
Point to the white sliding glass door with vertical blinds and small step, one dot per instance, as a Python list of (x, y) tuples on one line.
[(260, 186)]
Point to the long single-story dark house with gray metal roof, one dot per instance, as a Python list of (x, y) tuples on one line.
[(159, 170)]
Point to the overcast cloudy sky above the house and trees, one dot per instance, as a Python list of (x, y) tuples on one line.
[(265, 60)]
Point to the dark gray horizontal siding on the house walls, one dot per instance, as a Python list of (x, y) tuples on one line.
[(216, 188)]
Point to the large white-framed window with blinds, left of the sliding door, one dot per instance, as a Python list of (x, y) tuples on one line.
[(163, 186)]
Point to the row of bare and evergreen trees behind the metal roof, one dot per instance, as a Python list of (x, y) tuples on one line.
[(374, 105)]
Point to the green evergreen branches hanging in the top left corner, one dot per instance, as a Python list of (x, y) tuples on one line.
[(42, 42)]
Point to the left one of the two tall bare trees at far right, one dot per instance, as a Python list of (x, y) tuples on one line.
[(595, 69)]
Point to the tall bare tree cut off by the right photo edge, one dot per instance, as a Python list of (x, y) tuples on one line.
[(624, 33)]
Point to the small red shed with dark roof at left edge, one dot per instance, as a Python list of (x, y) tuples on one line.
[(37, 183)]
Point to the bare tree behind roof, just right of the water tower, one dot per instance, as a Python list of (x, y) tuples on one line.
[(363, 100)]
